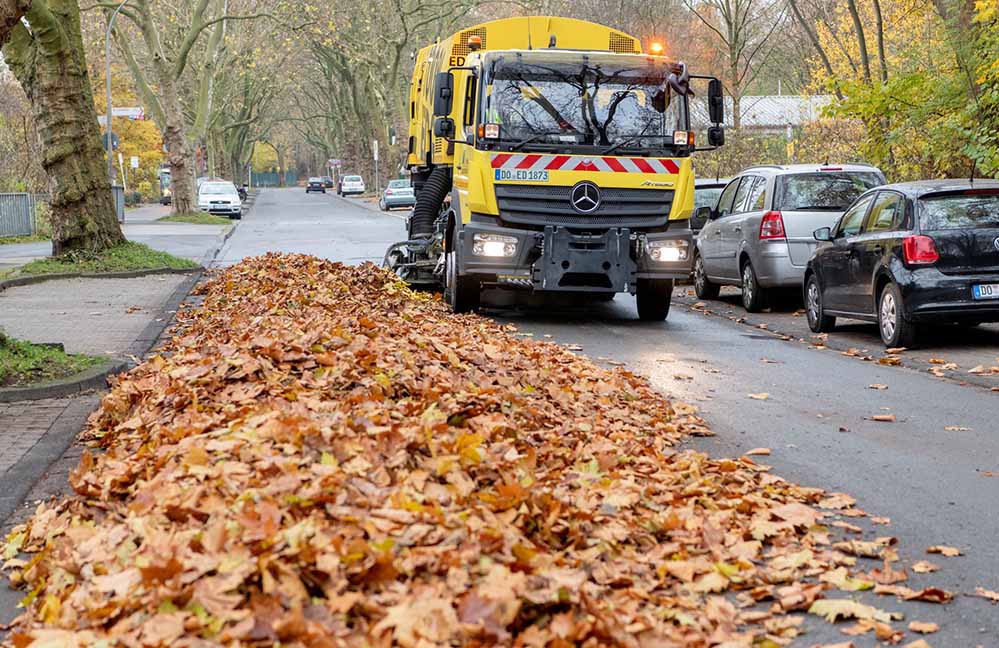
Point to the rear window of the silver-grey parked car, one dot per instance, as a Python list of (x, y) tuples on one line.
[(832, 190)]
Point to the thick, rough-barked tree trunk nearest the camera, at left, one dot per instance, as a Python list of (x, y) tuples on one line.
[(49, 62)]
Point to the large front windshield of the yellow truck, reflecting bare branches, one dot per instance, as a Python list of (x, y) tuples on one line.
[(591, 102)]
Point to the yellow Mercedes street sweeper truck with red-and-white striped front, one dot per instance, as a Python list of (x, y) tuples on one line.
[(562, 168)]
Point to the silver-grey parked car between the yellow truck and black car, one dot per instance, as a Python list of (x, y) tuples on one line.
[(759, 235)]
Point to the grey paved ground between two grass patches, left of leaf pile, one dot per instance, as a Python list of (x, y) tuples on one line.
[(100, 317)]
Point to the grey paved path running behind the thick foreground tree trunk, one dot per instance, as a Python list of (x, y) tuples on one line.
[(142, 225)]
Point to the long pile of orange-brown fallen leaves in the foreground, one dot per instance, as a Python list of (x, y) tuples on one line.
[(321, 457)]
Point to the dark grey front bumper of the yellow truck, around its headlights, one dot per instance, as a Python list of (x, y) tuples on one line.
[(560, 259)]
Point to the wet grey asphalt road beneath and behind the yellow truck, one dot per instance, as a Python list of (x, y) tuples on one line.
[(938, 486)]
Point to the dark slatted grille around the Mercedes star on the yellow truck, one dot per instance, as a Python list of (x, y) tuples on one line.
[(546, 205)]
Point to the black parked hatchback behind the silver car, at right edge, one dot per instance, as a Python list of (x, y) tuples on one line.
[(904, 255)]
